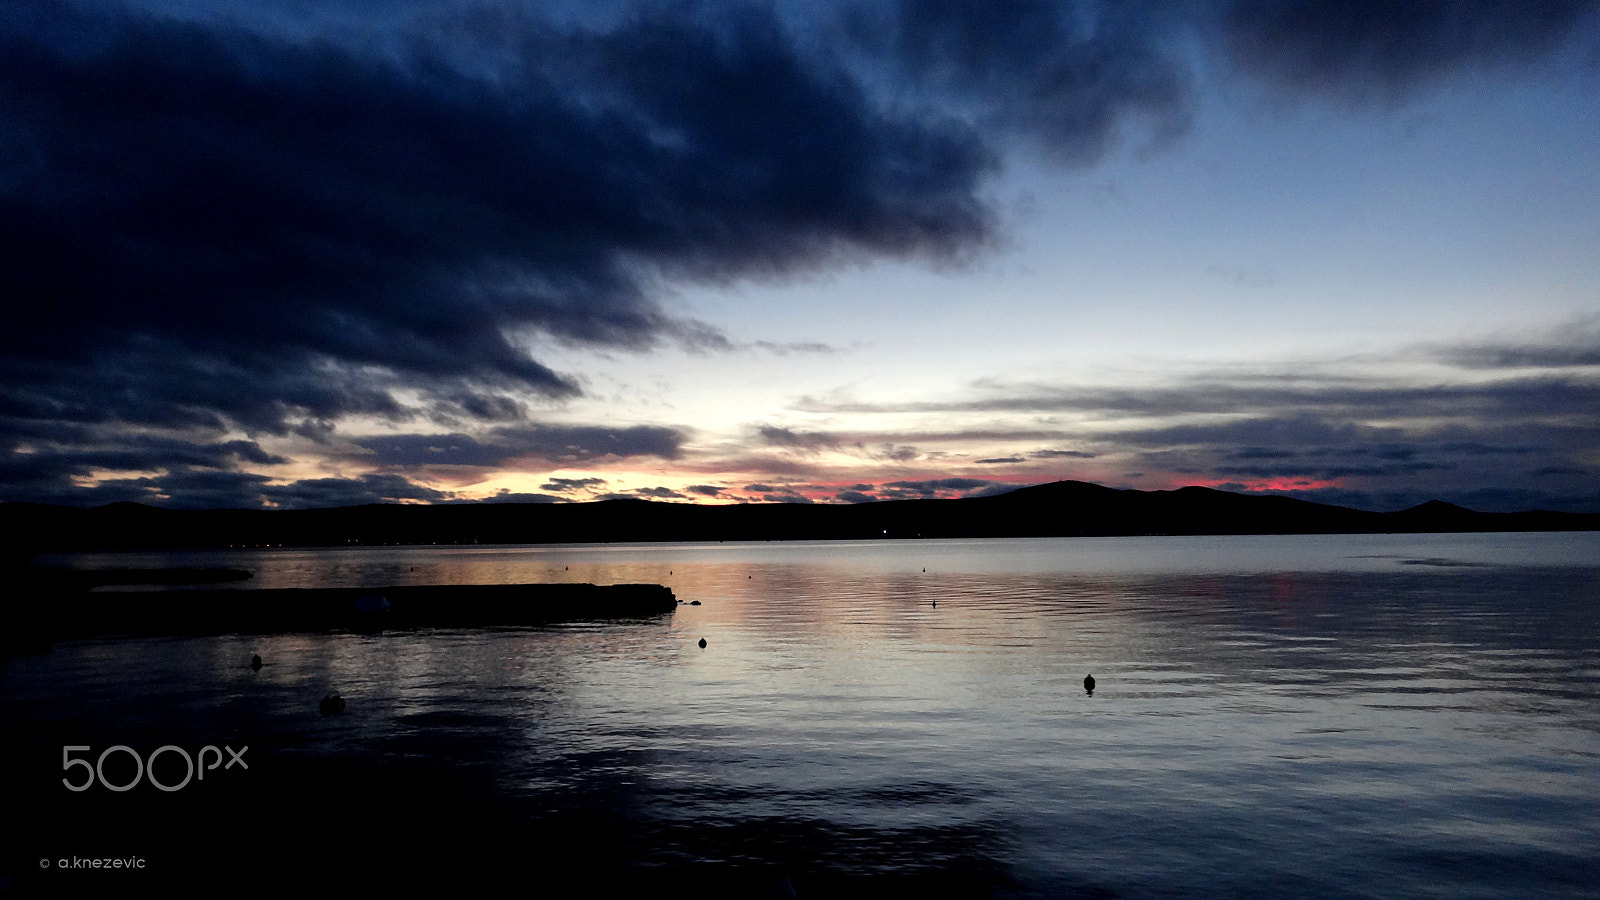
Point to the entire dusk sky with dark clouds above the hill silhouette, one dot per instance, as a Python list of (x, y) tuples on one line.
[(297, 254)]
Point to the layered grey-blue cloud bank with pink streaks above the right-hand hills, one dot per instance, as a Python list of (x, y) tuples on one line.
[(1497, 425)]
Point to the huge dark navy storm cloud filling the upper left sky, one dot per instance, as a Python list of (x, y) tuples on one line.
[(204, 223)]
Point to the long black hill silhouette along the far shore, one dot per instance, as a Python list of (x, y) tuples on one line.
[(1049, 510)]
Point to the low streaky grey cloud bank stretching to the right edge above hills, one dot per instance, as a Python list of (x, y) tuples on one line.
[(1380, 440)]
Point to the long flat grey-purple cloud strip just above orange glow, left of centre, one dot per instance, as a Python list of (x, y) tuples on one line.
[(546, 443)]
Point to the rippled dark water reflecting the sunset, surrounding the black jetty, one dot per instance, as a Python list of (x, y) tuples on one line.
[(1306, 717)]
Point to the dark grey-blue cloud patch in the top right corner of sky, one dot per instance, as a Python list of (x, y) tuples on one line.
[(1385, 50)]
